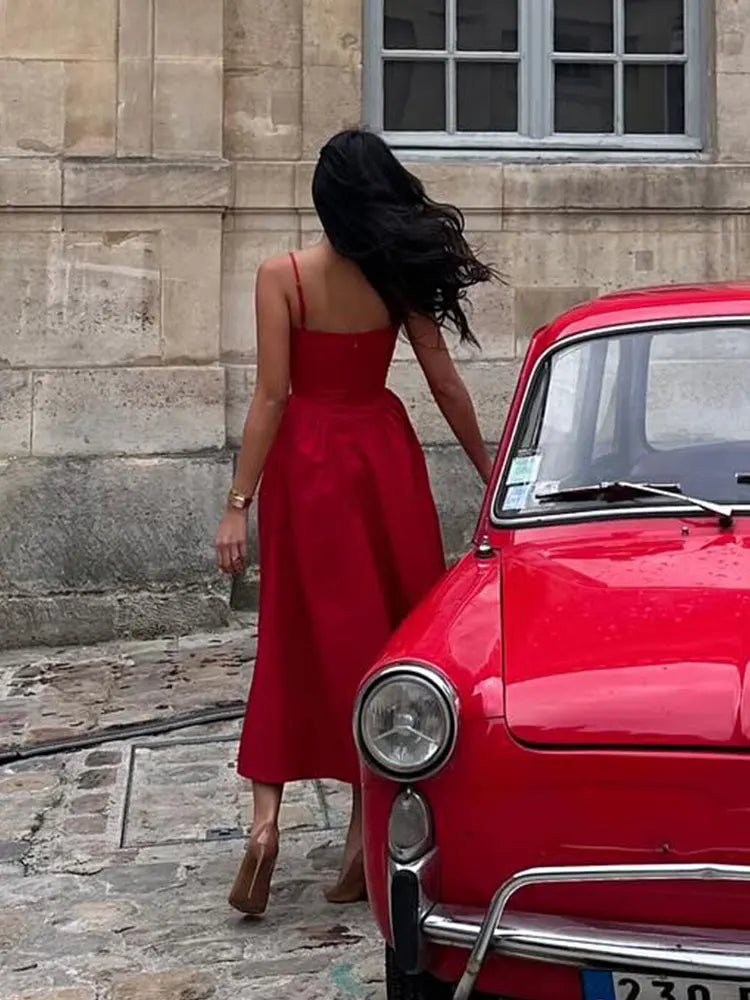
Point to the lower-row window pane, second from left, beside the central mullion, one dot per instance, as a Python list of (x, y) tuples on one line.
[(487, 97)]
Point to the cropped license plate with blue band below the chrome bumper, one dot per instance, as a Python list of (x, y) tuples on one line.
[(629, 986)]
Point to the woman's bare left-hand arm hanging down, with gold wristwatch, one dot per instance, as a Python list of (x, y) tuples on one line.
[(266, 409)]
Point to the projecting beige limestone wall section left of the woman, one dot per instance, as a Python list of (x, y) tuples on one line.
[(113, 187)]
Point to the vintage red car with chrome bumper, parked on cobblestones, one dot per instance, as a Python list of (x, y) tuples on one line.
[(556, 744)]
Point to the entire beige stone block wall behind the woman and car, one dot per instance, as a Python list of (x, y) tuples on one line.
[(153, 152)]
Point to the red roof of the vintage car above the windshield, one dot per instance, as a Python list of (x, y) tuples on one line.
[(647, 305)]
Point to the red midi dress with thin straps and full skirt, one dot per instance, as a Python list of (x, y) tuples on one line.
[(349, 544)]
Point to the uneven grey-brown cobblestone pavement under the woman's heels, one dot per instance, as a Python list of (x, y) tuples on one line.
[(115, 861)]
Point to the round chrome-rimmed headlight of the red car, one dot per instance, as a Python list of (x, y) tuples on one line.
[(406, 722)]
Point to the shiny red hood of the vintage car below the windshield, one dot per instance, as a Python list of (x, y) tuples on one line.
[(628, 634)]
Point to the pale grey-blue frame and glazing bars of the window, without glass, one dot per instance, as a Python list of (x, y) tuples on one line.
[(536, 59)]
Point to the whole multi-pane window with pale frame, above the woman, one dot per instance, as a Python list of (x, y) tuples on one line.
[(559, 74)]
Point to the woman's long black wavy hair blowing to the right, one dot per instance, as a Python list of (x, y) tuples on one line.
[(410, 248)]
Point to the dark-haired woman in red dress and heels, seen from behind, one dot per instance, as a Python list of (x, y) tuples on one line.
[(349, 534)]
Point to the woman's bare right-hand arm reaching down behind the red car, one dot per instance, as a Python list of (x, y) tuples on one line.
[(449, 391)]
